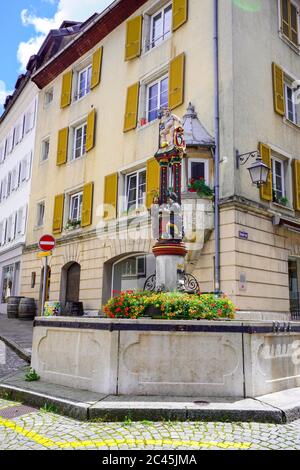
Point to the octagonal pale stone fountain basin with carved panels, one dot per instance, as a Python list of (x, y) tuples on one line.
[(167, 357)]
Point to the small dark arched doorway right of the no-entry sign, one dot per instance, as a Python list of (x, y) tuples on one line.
[(70, 283)]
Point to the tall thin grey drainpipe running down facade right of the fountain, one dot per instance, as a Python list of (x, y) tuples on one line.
[(217, 280)]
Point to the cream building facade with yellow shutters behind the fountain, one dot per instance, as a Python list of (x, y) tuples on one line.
[(94, 172)]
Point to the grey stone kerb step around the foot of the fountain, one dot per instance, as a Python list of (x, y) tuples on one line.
[(102, 411)]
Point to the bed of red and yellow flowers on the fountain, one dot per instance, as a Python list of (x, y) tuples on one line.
[(170, 305)]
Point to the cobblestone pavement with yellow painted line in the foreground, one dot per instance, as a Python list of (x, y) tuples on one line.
[(26, 428)]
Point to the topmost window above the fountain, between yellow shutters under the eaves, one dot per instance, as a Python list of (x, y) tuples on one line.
[(161, 26)]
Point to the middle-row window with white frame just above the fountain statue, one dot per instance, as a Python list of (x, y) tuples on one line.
[(157, 97)]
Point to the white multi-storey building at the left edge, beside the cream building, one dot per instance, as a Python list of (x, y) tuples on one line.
[(17, 138)]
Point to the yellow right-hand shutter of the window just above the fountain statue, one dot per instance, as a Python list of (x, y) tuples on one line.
[(176, 81)]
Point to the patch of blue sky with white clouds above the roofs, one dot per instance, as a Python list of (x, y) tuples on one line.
[(25, 26)]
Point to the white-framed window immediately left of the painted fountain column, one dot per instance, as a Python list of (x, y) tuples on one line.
[(135, 190)]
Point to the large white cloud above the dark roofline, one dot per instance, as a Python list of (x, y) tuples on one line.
[(75, 10)]
